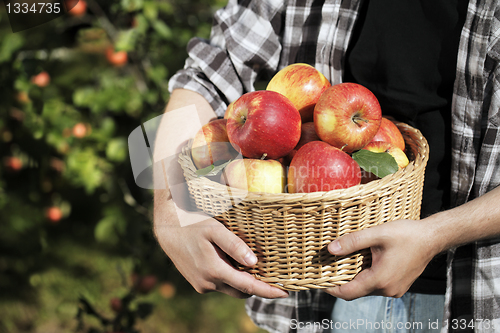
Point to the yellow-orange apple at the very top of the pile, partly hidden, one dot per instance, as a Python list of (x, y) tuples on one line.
[(302, 84)]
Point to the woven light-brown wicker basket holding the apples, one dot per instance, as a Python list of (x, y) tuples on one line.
[(289, 233)]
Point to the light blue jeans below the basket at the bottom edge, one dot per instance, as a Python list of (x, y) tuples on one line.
[(417, 313)]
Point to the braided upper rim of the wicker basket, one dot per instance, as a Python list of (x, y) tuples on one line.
[(375, 186)]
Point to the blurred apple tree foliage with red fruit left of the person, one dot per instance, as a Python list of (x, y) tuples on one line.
[(77, 252)]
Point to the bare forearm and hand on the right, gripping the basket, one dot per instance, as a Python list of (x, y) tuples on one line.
[(401, 249)]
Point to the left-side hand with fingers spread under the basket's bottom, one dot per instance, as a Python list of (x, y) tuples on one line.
[(200, 252)]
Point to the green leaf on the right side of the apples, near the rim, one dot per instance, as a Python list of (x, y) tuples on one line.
[(380, 164)]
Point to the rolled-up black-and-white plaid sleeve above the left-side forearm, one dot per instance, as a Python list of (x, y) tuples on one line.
[(244, 44)]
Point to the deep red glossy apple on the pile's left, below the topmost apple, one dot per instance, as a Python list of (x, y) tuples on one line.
[(263, 124)]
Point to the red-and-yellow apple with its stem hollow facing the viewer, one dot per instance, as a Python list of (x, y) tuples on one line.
[(347, 116)]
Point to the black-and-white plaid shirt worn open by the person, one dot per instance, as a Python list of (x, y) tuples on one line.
[(251, 40)]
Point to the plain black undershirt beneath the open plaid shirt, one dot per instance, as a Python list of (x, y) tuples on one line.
[(405, 52)]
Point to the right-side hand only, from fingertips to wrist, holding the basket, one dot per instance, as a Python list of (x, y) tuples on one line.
[(400, 252)]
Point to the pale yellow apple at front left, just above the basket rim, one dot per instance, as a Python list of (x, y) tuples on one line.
[(255, 175)]
